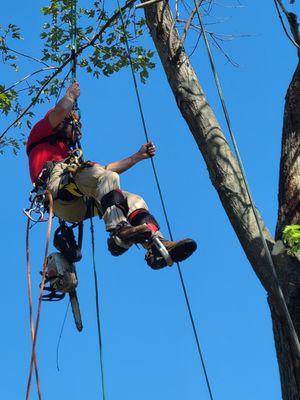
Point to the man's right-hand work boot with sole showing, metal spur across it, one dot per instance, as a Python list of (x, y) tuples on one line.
[(178, 250)]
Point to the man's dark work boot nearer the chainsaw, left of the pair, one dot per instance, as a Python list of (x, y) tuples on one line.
[(125, 235)]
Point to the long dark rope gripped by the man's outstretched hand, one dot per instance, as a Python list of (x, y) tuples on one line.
[(163, 205)]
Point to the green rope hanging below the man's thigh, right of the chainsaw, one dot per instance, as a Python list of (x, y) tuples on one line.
[(90, 202)]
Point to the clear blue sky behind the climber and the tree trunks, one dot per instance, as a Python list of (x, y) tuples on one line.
[(149, 348)]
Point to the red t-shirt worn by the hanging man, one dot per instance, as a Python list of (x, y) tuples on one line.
[(44, 152)]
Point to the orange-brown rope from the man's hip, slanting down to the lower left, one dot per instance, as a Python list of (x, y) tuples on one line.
[(37, 321)]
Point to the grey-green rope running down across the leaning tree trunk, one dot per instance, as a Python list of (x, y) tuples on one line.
[(278, 291)]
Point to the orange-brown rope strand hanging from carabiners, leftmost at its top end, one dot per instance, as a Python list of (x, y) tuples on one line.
[(30, 303)]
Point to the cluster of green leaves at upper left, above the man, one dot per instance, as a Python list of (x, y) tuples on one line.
[(101, 57)]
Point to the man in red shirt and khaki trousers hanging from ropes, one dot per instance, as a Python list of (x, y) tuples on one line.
[(125, 214)]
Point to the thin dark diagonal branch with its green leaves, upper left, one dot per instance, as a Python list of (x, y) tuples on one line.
[(108, 54)]
